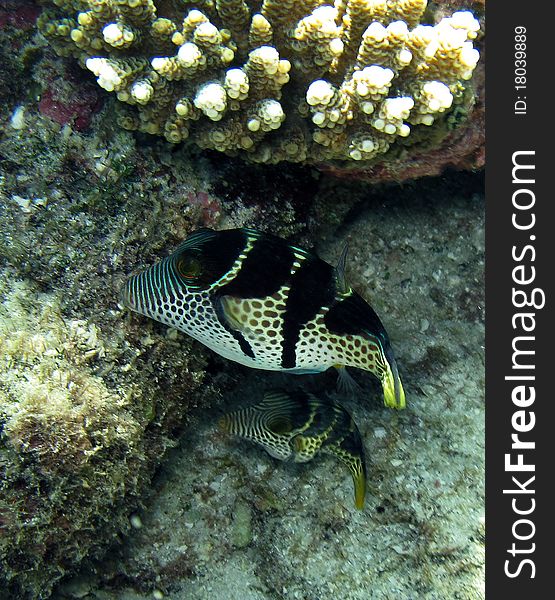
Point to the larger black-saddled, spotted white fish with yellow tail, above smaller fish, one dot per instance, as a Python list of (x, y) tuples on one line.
[(262, 302)]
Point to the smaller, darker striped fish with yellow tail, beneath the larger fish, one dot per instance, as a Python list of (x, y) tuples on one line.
[(296, 426)]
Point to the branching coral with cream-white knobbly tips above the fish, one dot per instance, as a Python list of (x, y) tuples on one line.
[(303, 81)]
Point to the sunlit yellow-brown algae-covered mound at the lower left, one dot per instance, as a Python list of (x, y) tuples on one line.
[(76, 451)]
